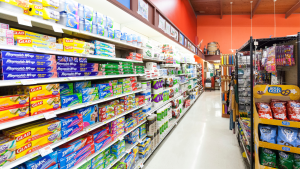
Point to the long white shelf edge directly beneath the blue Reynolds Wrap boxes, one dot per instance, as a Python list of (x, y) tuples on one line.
[(65, 79)]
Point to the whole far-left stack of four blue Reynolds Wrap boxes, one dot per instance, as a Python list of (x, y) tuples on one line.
[(21, 65)]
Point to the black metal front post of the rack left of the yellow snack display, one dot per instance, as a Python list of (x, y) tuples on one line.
[(251, 103)]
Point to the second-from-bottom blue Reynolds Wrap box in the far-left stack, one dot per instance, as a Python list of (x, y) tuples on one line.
[(27, 69)]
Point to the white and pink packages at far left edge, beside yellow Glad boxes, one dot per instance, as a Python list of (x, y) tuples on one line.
[(6, 35)]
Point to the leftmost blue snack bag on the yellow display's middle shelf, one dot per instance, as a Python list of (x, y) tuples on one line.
[(268, 133)]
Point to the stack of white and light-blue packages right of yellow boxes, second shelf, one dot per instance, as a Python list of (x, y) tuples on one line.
[(104, 49)]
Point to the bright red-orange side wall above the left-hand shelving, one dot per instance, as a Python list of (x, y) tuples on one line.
[(180, 12)]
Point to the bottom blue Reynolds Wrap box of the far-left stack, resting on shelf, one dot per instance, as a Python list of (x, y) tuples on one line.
[(31, 75)]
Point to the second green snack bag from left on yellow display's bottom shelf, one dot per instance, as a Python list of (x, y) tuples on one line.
[(286, 160)]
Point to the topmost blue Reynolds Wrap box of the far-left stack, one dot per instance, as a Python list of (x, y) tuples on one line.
[(23, 55)]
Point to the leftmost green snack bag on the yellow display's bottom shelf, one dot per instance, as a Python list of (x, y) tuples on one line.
[(267, 157)]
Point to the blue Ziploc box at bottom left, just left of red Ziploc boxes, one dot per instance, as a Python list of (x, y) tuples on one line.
[(42, 162)]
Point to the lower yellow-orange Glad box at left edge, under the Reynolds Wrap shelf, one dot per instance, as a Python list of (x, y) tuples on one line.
[(14, 114)]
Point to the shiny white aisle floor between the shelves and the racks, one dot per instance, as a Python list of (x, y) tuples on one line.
[(200, 140)]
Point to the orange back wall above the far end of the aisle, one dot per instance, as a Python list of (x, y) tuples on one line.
[(212, 28)]
